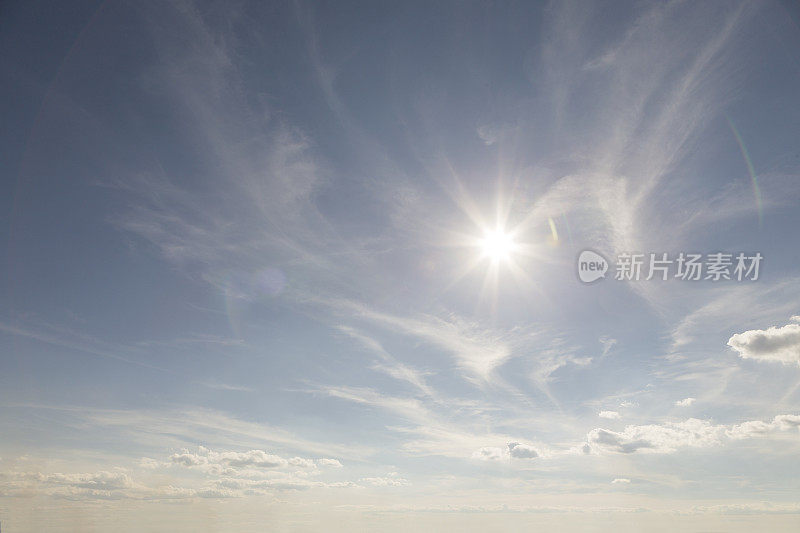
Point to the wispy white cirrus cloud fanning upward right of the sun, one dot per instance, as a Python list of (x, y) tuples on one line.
[(629, 154)]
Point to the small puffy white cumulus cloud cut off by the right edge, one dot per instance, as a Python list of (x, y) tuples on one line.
[(774, 344)]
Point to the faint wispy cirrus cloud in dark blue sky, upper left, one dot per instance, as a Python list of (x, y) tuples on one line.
[(265, 177)]
